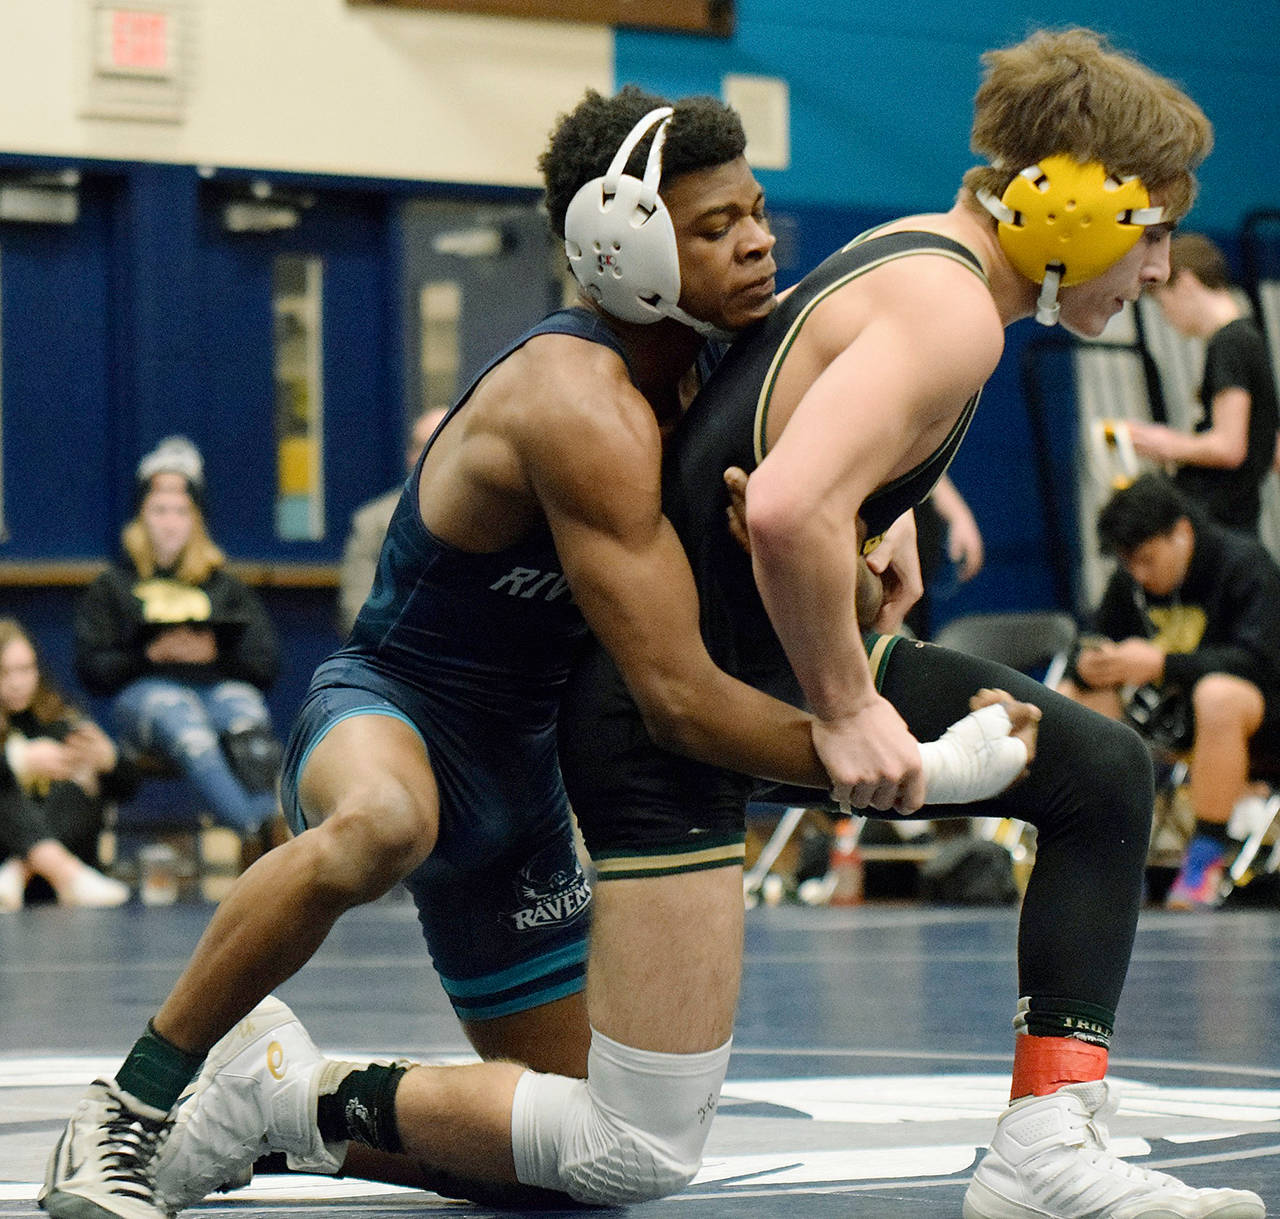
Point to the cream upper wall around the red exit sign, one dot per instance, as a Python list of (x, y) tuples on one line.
[(316, 86)]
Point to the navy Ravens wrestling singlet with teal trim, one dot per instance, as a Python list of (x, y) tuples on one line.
[(473, 651)]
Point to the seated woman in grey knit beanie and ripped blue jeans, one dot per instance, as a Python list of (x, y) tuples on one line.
[(185, 650)]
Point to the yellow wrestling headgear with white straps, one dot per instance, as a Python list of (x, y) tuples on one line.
[(1063, 222)]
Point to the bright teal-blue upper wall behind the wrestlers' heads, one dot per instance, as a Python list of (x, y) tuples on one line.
[(881, 95)]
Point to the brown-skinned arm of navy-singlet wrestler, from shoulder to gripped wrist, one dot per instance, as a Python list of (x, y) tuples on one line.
[(597, 478)]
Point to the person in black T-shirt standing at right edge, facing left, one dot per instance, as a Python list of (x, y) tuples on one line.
[(1222, 464)]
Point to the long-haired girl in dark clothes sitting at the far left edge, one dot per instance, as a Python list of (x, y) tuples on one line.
[(57, 771)]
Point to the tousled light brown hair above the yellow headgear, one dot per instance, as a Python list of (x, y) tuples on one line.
[(1071, 93)]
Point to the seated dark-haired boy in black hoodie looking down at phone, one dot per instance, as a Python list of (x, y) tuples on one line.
[(1188, 629)]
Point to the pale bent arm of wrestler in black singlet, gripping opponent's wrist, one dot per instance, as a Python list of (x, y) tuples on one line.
[(845, 426)]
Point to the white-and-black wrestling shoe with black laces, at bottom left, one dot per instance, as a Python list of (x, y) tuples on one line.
[(106, 1162)]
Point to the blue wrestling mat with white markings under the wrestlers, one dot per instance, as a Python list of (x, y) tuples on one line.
[(871, 1058)]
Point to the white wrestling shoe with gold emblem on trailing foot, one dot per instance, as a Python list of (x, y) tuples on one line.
[(255, 1094)]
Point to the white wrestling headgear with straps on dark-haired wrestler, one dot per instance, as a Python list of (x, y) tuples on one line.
[(620, 240)]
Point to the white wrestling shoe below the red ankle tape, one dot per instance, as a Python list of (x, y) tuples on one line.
[(1050, 1161)]
